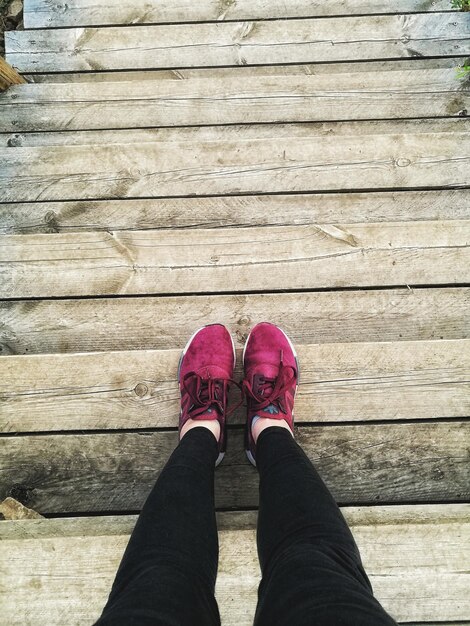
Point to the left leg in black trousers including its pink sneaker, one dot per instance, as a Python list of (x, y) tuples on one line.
[(167, 575)]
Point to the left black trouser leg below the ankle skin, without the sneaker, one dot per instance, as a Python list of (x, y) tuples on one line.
[(168, 572)]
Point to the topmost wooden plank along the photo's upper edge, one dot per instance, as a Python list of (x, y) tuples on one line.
[(43, 14)]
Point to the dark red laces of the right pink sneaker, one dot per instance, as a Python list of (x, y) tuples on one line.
[(266, 391)]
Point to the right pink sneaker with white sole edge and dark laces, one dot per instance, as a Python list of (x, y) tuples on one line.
[(271, 379)]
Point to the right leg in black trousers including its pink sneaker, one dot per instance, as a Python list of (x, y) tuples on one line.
[(312, 573)]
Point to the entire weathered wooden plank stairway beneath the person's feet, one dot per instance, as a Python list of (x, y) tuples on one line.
[(172, 164)]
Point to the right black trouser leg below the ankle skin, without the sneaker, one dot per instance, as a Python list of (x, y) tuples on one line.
[(311, 569)]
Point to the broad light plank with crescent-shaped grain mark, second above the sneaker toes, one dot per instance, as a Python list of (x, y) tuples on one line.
[(224, 260)]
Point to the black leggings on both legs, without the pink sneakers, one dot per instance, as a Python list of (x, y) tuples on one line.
[(312, 571)]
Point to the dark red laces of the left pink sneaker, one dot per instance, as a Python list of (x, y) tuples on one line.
[(206, 393)]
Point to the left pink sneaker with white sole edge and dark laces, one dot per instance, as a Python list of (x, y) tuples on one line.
[(205, 373)]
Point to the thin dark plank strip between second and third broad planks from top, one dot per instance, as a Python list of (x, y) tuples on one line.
[(244, 71)]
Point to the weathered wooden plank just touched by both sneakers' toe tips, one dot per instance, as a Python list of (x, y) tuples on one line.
[(63, 326)]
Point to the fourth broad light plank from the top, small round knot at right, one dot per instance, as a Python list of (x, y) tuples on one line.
[(284, 163)]
